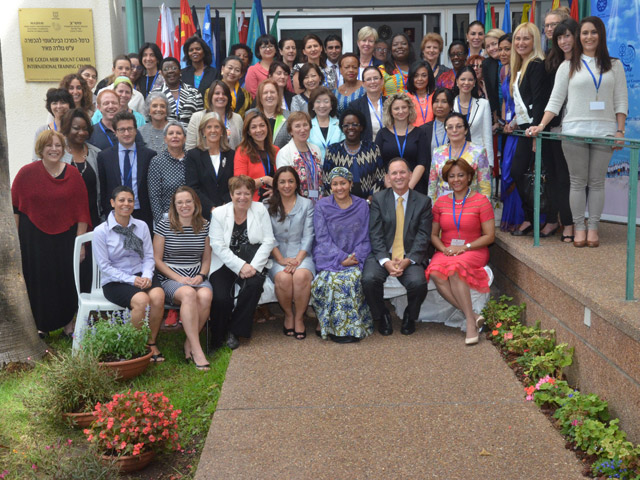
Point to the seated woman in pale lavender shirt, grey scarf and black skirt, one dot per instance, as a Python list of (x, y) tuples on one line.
[(124, 253)]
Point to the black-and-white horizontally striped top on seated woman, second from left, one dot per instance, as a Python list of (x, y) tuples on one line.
[(182, 251)]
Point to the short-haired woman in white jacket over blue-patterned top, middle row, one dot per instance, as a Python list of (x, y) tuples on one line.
[(303, 156)]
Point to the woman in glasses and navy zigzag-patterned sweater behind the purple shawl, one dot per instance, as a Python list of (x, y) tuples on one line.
[(361, 157)]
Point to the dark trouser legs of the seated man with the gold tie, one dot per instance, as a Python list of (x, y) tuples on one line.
[(413, 279)]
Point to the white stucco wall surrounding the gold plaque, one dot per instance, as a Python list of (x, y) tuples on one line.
[(25, 101)]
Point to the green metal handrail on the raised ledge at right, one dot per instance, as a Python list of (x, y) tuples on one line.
[(634, 146)]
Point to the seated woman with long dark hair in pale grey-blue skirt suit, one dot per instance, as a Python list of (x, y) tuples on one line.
[(293, 269)]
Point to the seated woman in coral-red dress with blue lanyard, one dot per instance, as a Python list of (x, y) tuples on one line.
[(461, 239)]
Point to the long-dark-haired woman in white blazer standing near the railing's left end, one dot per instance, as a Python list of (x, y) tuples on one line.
[(477, 111)]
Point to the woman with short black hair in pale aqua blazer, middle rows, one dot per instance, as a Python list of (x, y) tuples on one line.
[(325, 126)]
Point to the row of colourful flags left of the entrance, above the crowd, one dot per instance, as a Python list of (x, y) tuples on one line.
[(171, 38)]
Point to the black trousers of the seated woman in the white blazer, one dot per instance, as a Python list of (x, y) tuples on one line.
[(227, 318)]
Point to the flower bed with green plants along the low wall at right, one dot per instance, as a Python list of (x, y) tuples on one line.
[(584, 419)]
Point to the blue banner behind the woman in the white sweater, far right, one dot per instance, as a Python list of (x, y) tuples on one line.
[(622, 22)]
